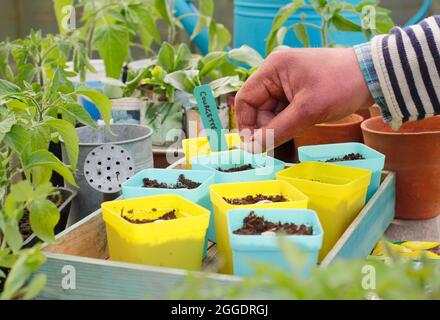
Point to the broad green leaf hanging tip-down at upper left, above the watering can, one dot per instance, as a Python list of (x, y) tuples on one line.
[(112, 42)]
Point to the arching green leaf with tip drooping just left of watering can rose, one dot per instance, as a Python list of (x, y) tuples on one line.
[(43, 158)]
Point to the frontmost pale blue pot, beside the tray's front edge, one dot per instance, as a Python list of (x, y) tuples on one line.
[(249, 249)]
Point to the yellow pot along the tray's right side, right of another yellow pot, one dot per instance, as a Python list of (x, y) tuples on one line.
[(336, 193)]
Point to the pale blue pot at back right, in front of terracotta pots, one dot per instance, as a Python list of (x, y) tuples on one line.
[(374, 160)]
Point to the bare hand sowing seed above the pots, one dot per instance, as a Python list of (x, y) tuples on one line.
[(297, 88)]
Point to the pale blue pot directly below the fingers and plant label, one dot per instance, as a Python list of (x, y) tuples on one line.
[(265, 167)]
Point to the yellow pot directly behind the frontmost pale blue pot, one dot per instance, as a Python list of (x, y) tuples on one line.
[(296, 199)]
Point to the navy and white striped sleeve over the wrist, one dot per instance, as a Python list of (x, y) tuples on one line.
[(407, 63)]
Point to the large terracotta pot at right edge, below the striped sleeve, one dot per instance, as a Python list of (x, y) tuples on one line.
[(413, 153)]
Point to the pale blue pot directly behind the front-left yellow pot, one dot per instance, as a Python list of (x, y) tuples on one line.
[(133, 188)]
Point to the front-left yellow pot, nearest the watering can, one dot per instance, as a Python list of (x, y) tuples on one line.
[(174, 243)]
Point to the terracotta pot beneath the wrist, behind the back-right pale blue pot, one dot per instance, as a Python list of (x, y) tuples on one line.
[(345, 130)]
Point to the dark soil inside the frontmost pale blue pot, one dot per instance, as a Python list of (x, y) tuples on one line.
[(254, 225)]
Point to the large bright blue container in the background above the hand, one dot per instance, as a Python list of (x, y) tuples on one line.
[(253, 22)]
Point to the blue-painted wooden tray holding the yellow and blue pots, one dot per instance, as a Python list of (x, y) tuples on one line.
[(83, 248)]
